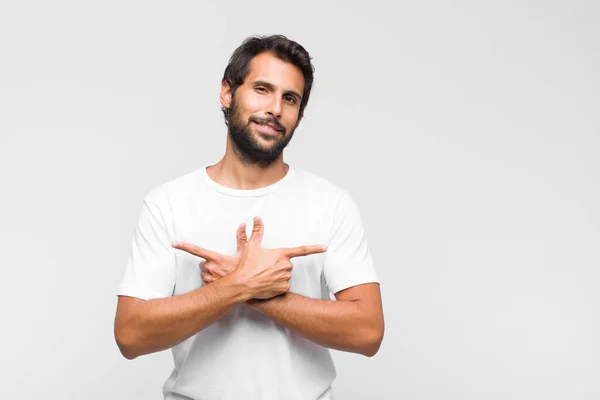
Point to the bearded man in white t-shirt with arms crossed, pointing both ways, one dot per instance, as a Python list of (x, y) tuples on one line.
[(256, 320)]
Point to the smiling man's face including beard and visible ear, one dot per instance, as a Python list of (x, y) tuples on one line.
[(263, 112)]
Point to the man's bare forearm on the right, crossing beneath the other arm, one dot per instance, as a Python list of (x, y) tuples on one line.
[(353, 323)]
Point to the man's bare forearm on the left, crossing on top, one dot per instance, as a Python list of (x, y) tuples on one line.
[(159, 324)]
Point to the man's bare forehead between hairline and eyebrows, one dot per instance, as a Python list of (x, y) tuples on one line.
[(267, 67)]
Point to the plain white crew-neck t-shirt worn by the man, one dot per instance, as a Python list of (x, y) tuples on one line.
[(245, 355)]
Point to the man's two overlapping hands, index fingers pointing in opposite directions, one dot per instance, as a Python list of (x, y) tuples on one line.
[(266, 272)]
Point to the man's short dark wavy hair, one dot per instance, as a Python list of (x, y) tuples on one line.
[(278, 45)]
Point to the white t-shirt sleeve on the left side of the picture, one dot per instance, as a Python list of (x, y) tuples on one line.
[(151, 268)]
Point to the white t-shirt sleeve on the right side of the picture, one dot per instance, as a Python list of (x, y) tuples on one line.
[(348, 260)]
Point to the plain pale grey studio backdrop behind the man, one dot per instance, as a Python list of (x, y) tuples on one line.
[(468, 134)]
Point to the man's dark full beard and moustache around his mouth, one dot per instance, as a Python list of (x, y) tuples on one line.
[(247, 145)]
